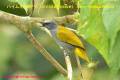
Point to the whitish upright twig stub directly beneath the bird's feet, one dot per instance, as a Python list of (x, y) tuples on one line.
[(68, 63)]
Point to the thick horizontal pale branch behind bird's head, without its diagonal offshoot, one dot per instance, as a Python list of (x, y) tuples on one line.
[(28, 23)]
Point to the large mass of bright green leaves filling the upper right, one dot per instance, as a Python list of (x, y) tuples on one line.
[(100, 28)]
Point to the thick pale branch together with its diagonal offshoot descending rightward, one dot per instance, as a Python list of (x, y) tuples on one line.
[(25, 24)]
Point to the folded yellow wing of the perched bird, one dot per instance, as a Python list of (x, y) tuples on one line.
[(69, 36)]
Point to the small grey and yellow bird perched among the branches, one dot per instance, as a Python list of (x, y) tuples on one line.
[(66, 38)]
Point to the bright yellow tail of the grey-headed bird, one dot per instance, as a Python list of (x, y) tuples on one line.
[(82, 54)]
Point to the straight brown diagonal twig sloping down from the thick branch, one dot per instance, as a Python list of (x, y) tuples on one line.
[(45, 53)]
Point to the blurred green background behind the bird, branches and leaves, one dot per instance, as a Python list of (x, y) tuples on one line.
[(18, 55)]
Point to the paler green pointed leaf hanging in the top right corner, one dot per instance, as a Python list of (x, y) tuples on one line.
[(111, 20)]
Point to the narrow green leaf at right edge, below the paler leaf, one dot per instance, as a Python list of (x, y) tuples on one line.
[(114, 58)]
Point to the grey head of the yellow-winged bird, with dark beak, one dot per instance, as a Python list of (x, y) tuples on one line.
[(50, 24)]
